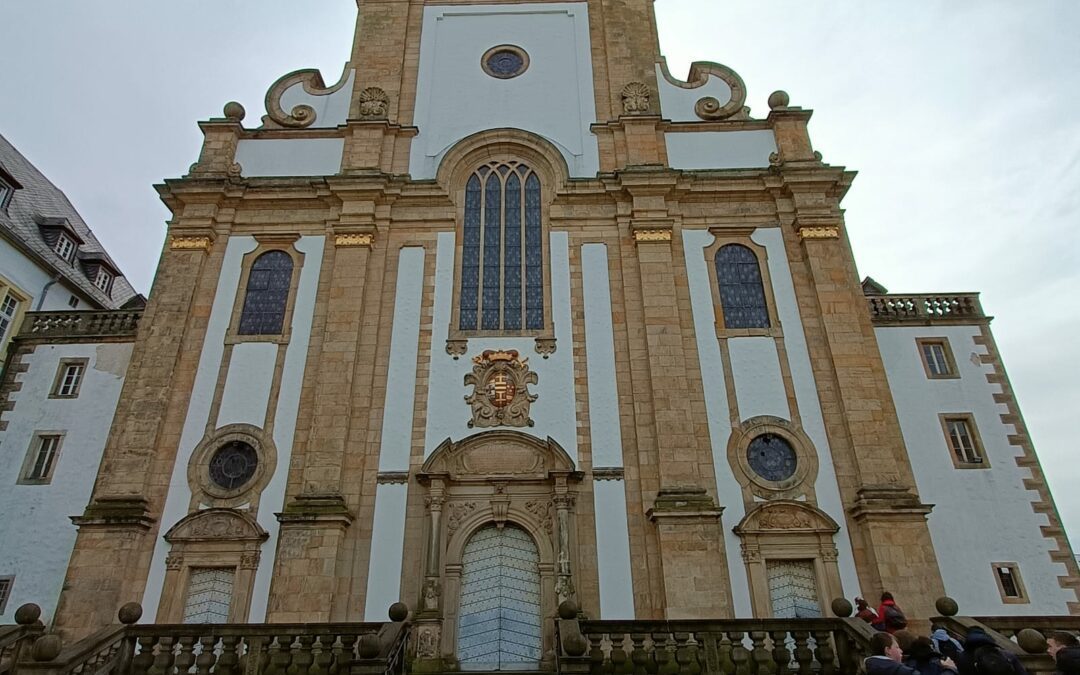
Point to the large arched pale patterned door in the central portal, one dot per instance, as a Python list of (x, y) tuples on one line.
[(499, 625)]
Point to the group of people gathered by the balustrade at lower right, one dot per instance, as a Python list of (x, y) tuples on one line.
[(898, 652)]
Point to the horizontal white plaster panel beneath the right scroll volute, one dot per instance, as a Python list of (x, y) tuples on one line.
[(736, 150)]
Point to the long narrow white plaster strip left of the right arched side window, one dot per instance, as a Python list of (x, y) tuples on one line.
[(728, 491)]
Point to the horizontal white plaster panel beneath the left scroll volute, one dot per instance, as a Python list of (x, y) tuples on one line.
[(290, 157)]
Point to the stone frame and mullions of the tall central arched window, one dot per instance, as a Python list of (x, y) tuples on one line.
[(547, 331)]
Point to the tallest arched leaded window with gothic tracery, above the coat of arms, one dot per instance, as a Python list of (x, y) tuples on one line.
[(503, 251)]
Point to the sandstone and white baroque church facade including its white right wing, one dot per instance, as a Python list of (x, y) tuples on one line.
[(511, 316)]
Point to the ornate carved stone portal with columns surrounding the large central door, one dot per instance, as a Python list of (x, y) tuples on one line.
[(494, 478)]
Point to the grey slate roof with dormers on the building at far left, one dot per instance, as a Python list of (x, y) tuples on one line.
[(39, 201)]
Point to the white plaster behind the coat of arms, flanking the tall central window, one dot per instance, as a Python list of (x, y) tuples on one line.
[(555, 412)]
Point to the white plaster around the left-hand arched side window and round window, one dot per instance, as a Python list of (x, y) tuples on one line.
[(245, 400)]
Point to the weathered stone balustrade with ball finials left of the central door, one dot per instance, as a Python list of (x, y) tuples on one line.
[(223, 650)]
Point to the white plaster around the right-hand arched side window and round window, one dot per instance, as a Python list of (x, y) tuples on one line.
[(759, 390)]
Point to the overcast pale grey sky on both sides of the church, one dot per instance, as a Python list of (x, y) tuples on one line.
[(961, 117)]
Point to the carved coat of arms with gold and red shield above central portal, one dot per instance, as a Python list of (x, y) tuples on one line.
[(501, 397)]
